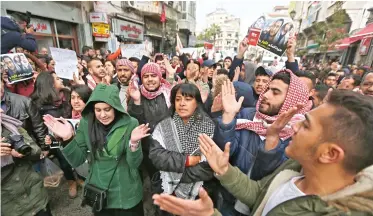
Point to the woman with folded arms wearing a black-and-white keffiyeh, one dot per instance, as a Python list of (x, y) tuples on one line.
[(174, 149)]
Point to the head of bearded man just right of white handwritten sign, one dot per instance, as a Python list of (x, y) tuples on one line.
[(96, 73)]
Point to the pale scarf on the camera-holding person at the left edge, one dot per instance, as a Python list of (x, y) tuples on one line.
[(12, 125)]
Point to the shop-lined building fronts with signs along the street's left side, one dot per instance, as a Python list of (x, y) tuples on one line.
[(101, 23)]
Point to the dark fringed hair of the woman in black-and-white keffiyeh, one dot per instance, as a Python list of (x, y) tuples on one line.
[(191, 90)]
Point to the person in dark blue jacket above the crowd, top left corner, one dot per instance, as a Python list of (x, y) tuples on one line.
[(14, 32)]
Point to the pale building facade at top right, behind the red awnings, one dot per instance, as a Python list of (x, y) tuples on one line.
[(309, 13)]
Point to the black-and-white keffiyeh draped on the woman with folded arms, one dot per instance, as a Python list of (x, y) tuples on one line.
[(174, 135)]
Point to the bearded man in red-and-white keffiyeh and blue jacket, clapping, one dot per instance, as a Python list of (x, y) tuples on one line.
[(257, 143)]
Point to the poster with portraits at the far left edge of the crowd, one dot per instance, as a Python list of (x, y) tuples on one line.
[(16, 66)]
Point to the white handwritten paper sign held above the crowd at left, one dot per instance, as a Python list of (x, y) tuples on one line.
[(66, 62)]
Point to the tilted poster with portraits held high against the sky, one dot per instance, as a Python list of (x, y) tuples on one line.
[(275, 33)]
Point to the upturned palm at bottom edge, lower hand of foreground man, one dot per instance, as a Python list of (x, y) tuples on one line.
[(177, 206)]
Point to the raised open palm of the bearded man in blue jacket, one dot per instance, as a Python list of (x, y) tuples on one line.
[(230, 104)]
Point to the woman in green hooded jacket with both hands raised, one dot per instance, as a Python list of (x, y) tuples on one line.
[(110, 140)]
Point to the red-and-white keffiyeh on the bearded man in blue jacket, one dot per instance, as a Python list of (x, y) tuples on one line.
[(297, 94)]
